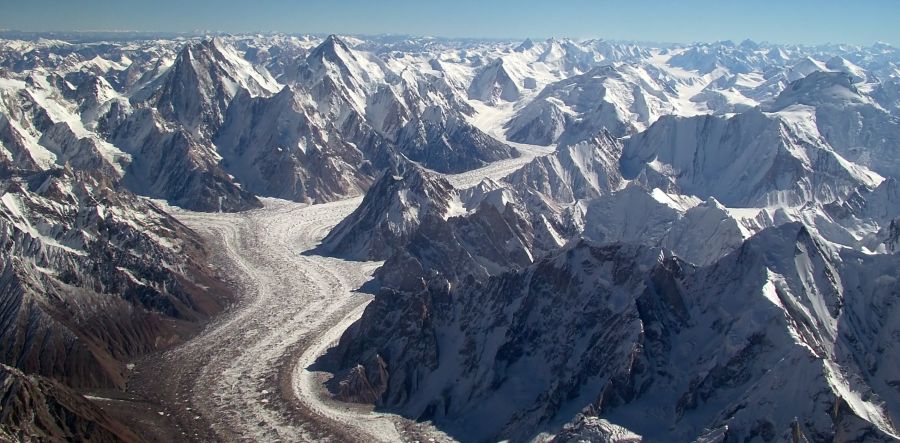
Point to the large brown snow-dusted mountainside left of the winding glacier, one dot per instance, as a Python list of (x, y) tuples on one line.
[(93, 278)]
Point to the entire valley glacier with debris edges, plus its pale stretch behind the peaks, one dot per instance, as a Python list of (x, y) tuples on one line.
[(246, 376)]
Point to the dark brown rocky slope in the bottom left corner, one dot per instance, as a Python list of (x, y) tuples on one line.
[(37, 408)]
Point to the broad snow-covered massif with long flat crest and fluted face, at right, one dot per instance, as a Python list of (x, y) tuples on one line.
[(709, 156)]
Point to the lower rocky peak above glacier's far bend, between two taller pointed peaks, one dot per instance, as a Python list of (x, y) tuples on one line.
[(273, 147)]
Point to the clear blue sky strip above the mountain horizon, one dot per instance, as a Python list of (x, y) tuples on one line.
[(791, 21)]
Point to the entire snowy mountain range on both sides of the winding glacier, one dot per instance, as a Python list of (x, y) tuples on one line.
[(701, 244)]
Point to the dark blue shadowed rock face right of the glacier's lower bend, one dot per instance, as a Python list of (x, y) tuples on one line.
[(541, 323)]
